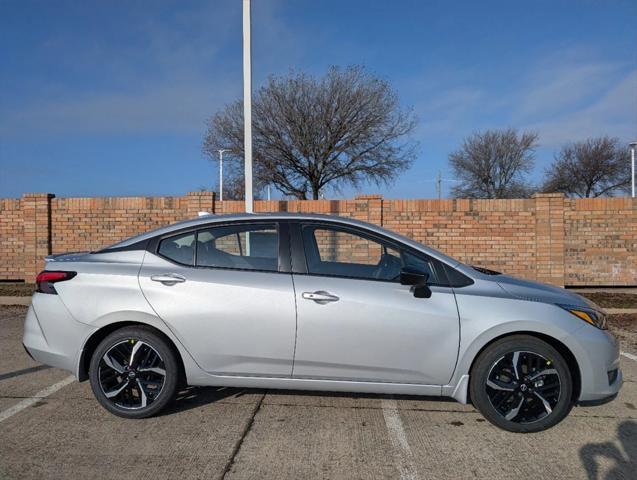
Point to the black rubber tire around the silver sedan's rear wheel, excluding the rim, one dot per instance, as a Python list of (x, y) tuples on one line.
[(167, 354)]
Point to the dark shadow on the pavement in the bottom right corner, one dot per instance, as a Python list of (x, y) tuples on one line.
[(625, 462)]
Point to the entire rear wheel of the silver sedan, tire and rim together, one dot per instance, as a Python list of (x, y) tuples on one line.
[(147, 391)]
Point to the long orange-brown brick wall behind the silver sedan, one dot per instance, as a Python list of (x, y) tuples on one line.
[(547, 238)]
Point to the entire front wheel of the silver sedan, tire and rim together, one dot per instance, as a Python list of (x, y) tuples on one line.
[(532, 403)]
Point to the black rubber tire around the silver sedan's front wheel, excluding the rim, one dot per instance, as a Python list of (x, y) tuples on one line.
[(489, 356)]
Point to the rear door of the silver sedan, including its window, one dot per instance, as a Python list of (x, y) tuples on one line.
[(227, 294)]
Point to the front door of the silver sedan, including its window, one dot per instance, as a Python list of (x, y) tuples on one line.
[(356, 322)]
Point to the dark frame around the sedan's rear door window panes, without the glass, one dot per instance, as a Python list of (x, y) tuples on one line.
[(283, 241)]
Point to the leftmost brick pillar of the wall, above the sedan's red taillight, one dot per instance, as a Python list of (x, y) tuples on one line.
[(36, 217)]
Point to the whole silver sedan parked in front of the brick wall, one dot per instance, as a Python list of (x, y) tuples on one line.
[(313, 302)]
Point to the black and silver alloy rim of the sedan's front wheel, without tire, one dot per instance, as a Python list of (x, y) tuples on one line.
[(523, 387)]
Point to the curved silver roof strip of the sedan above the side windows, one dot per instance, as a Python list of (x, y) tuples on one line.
[(212, 219)]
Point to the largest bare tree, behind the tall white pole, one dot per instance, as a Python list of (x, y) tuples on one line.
[(344, 128)]
